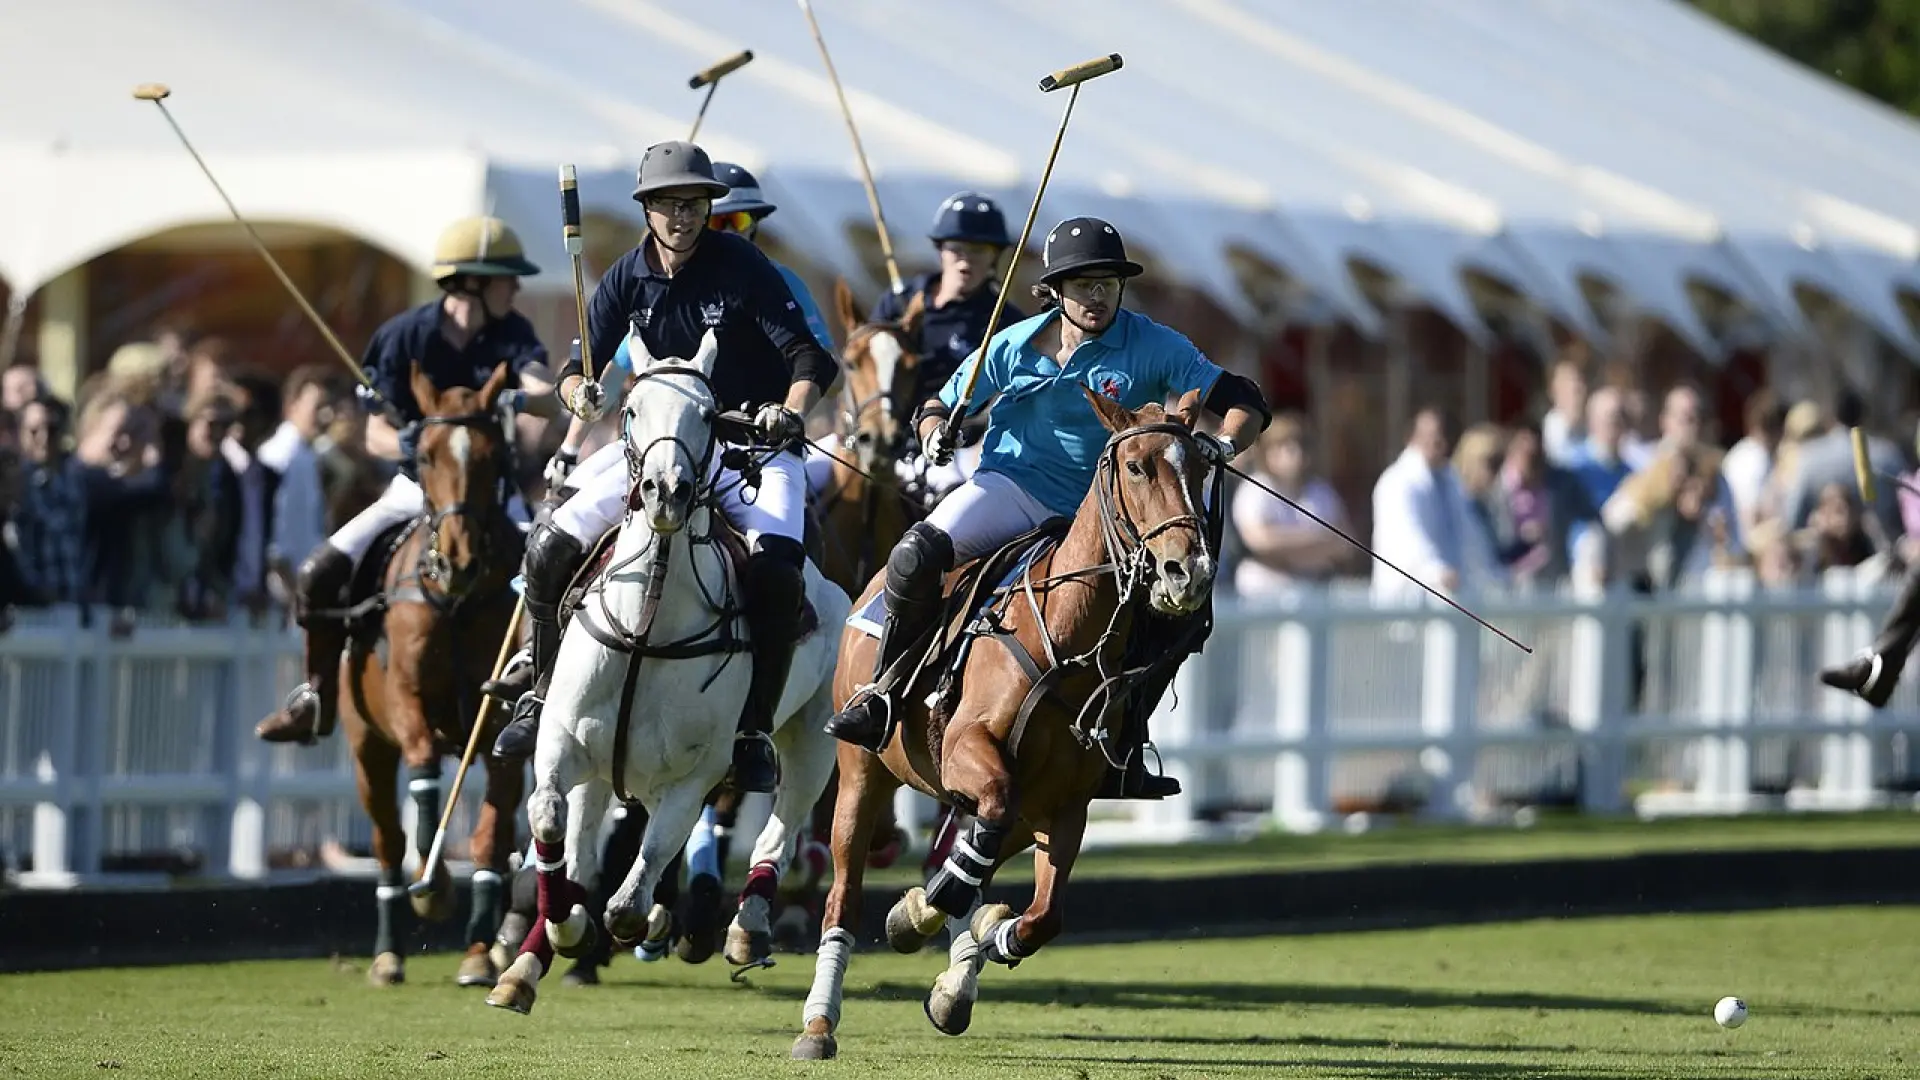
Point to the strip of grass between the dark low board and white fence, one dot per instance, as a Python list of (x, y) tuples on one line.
[(1556, 837)]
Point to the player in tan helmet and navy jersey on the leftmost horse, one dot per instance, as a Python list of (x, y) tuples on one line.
[(458, 341)]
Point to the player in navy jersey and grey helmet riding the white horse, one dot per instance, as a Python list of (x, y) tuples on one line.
[(683, 282)]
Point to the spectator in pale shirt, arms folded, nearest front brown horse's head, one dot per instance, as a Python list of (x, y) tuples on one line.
[(1284, 547)]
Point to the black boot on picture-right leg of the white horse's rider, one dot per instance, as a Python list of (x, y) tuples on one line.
[(777, 595)]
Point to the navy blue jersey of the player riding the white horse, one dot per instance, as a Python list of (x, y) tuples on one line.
[(731, 287)]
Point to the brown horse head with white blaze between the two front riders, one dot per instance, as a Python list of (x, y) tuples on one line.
[(880, 374)]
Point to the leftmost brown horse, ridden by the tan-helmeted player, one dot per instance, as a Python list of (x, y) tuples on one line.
[(448, 601)]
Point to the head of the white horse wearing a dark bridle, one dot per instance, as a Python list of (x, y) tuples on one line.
[(669, 430)]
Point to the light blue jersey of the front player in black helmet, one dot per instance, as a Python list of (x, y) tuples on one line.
[(1044, 433)]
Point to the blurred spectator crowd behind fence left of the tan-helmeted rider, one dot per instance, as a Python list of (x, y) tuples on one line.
[(178, 481)]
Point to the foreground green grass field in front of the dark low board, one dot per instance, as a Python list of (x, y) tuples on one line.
[(1833, 994)]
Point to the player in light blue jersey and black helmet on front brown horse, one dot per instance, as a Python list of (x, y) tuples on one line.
[(1042, 451)]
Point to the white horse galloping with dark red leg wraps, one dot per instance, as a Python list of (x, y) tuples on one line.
[(681, 735)]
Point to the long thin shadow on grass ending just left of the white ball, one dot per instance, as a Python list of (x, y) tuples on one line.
[(1230, 996)]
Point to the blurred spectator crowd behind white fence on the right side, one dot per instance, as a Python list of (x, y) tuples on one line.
[(1610, 487)]
